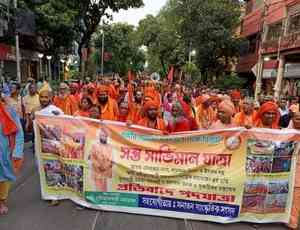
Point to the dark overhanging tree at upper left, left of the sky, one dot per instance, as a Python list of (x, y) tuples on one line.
[(59, 23)]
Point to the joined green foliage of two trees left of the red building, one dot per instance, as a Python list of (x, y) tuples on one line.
[(204, 25)]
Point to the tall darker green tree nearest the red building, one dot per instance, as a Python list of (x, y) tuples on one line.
[(208, 26)]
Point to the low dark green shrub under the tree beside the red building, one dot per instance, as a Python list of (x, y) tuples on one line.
[(231, 81)]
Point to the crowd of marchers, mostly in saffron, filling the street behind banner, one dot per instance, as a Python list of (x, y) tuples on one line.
[(162, 105)]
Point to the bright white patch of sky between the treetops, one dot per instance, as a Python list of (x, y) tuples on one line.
[(133, 16)]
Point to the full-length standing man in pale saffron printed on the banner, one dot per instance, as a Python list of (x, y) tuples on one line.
[(101, 161)]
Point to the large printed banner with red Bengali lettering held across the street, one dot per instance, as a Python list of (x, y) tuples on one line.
[(216, 175)]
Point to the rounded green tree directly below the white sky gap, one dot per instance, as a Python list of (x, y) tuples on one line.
[(122, 46)]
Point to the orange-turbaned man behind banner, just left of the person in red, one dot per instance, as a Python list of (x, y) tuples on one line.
[(151, 119)]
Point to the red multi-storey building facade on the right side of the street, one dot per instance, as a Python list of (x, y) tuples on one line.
[(271, 60)]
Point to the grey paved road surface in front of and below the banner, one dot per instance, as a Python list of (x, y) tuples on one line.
[(29, 212)]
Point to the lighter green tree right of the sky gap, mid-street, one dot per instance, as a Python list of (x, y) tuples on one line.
[(160, 35)]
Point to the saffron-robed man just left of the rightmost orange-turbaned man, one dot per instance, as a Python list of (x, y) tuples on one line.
[(246, 117)]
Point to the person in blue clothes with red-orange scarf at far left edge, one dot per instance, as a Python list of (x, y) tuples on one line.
[(11, 149)]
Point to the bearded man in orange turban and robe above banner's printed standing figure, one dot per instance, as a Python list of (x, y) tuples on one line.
[(108, 106)]
